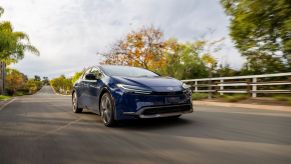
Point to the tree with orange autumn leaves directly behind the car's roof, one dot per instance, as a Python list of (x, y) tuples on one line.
[(141, 48)]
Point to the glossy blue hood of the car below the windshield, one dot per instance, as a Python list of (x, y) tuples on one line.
[(160, 84)]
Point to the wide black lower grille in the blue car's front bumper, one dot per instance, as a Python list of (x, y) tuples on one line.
[(166, 109)]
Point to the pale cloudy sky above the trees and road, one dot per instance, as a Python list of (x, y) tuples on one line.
[(69, 33)]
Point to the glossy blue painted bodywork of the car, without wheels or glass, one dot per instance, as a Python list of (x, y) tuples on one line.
[(89, 93)]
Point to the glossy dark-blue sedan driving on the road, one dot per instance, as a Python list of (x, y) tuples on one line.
[(124, 92)]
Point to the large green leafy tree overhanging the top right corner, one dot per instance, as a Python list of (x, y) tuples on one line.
[(261, 27)]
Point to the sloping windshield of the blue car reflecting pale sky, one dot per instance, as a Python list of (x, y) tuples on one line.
[(127, 71)]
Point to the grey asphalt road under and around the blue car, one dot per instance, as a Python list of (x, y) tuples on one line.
[(42, 129)]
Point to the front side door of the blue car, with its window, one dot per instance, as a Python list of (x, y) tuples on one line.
[(94, 89)]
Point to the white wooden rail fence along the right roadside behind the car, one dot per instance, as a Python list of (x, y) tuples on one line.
[(243, 84)]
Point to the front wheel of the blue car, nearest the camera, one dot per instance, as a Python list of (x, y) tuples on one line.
[(107, 110)]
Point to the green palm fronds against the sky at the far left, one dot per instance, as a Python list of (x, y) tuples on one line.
[(13, 44)]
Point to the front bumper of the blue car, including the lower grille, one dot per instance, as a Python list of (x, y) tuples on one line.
[(132, 106)]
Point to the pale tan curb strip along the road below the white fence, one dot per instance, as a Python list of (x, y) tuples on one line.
[(248, 106)]
